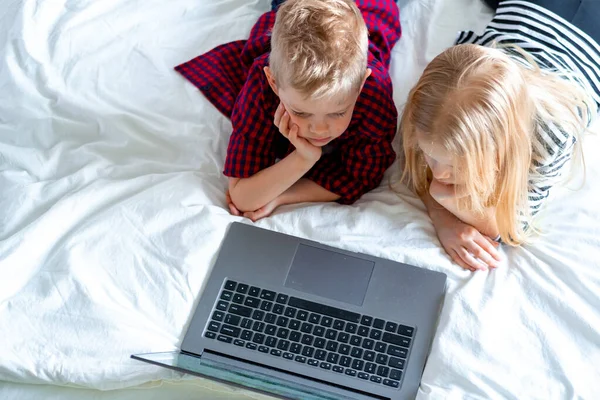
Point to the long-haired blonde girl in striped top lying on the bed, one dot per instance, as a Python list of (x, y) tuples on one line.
[(490, 125)]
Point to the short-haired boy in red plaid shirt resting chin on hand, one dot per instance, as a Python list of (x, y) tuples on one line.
[(314, 94)]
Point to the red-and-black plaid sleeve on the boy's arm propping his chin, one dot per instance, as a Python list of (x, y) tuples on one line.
[(251, 145)]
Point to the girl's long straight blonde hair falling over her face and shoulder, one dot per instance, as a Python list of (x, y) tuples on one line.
[(485, 108)]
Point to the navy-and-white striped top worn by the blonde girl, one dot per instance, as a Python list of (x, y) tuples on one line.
[(556, 45)]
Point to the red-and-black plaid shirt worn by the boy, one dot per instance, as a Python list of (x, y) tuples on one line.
[(231, 76)]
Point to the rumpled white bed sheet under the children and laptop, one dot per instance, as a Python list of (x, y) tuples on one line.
[(112, 211)]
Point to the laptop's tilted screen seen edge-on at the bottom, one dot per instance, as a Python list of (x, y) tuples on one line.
[(241, 377)]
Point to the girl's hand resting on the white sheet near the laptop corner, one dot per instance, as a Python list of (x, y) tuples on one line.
[(466, 245)]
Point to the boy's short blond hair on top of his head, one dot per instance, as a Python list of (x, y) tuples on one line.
[(319, 47)]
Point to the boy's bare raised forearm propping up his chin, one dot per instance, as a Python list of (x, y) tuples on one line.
[(249, 194)]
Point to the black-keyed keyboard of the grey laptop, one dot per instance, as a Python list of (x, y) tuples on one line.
[(302, 331)]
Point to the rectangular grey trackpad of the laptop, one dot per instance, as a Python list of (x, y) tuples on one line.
[(330, 274)]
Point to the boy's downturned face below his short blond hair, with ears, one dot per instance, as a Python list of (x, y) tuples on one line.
[(319, 121)]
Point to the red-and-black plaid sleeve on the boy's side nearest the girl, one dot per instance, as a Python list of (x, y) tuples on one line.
[(365, 150)]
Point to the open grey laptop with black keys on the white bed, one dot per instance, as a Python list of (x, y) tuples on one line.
[(296, 319)]
